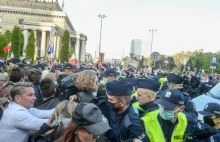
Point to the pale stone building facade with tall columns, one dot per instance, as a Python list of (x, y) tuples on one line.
[(43, 17)]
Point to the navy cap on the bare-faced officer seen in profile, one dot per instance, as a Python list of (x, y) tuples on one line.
[(150, 84)]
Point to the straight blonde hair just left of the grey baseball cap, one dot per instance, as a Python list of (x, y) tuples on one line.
[(63, 110)]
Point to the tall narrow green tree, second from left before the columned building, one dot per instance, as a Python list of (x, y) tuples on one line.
[(16, 42)]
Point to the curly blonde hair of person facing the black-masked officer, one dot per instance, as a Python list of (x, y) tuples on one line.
[(87, 80)]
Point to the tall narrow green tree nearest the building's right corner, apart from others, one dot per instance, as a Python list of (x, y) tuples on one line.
[(65, 47)]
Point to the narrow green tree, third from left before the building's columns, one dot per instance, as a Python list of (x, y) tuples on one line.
[(30, 48)]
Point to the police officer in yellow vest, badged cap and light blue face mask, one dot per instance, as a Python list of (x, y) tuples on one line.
[(169, 124)]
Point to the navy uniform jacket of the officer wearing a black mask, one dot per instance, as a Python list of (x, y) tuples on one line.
[(124, 126)]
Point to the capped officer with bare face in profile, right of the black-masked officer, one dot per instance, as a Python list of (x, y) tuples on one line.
[(147, 90)]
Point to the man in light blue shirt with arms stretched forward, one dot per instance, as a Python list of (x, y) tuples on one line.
[(19, 117)]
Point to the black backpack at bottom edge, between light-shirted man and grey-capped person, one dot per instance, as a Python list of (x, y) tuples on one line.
[(48, 133)]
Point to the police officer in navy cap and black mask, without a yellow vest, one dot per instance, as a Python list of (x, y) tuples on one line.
[(122, 119)]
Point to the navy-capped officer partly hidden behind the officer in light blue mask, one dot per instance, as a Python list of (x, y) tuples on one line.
[(176, 81)]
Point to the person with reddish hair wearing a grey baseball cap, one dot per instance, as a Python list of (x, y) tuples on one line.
[(86, 124)]
